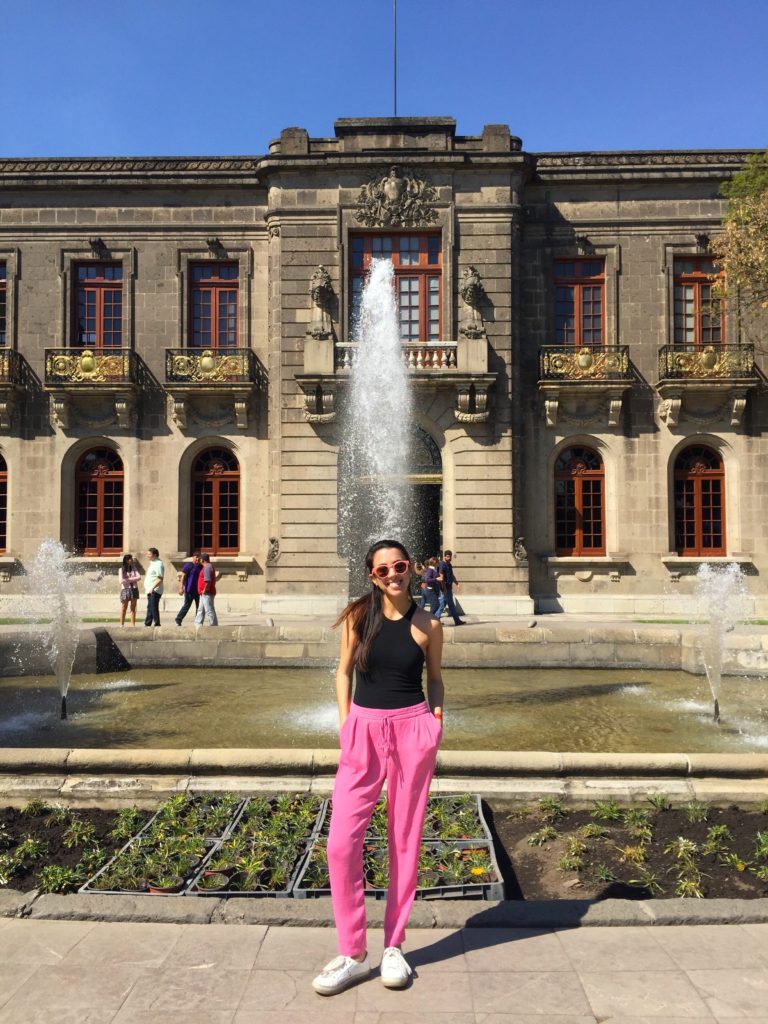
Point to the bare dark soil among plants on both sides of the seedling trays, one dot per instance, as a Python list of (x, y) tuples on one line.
[(531, 873)]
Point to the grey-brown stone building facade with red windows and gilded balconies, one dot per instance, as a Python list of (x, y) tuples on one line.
[(178, 337)]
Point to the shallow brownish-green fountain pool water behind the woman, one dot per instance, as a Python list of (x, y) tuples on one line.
[(487, 709)]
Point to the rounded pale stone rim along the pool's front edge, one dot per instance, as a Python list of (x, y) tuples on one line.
[(291, 761)]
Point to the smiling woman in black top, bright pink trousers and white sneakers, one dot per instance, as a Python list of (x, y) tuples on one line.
[(389, 733)]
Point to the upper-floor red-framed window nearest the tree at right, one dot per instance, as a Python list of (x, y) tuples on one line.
[(699, 317)]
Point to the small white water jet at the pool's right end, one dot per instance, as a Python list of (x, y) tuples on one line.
[(721, 604)]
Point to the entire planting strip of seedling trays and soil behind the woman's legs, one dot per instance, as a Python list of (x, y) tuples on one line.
[(543, 852)]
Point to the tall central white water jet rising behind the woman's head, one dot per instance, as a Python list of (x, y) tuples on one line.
[(377, 495)]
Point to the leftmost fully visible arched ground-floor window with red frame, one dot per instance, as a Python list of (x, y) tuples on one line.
[(99, 517)]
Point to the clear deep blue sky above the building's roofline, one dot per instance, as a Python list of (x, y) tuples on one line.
[(188, 77)]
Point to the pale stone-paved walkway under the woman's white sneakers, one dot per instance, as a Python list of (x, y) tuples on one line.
[(61, 972)]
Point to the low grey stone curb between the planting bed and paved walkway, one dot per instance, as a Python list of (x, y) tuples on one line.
[(426, 914)]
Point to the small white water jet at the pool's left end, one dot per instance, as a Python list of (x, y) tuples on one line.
[(52, 593)]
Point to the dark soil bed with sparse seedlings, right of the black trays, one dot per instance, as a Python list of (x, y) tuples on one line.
[(649, 850)]
